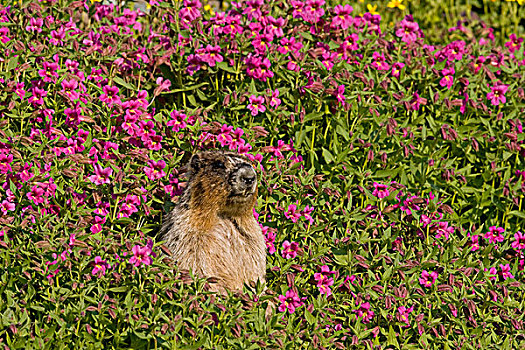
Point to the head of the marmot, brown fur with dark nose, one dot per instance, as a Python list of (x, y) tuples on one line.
[(224, 182)]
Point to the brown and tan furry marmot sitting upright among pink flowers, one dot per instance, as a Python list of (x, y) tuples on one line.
[(212, 229)]
